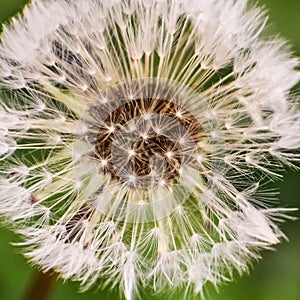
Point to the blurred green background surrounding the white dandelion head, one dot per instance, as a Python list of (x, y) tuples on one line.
[(276, 277)]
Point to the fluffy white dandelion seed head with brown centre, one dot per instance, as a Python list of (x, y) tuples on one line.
[(136, 137)]
